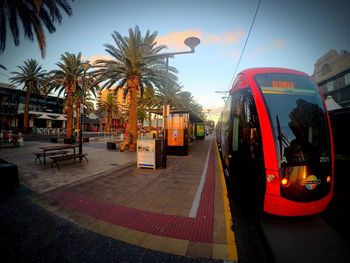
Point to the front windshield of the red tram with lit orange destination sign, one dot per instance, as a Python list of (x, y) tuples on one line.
[(298, 118)]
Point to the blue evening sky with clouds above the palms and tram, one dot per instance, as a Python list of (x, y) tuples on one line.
[(289, 34)]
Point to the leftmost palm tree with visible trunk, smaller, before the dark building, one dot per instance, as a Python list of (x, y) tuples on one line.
[(32, 76)]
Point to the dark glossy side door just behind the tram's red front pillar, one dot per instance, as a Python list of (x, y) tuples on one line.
[(246, 154)]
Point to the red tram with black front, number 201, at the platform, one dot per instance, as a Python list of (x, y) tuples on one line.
[(275, 141)]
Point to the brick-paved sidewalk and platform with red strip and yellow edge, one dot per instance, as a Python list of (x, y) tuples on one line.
[(179, 210)]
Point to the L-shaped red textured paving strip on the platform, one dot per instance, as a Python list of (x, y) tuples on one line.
[(199, 229)]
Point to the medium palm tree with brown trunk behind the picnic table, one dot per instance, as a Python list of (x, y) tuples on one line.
[(65, 80)]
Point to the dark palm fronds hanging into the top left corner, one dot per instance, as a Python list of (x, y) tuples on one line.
[(34, 15)]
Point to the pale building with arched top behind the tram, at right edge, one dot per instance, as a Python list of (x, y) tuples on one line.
[(332, 74)]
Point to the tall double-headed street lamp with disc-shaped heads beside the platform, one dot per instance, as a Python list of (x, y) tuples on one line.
[(191, 42)]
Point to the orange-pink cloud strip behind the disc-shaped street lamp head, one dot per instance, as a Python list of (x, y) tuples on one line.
[(175, 40)]
